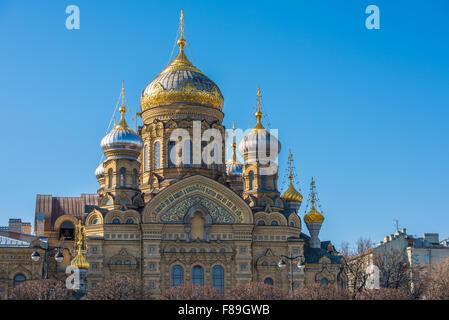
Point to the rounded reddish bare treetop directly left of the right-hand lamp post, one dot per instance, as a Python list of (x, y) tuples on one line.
[(256, 291)]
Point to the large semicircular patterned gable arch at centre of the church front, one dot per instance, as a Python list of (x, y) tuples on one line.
[(227, 206)]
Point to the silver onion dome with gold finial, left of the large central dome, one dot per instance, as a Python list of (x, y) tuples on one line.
[(122, 138)]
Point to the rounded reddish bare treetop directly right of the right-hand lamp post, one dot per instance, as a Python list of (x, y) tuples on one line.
[(319, 291)]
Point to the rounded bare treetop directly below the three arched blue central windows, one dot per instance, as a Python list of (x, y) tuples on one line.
[(192, 292)]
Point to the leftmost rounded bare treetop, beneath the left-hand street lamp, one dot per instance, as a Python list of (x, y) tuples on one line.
[(42, 290)]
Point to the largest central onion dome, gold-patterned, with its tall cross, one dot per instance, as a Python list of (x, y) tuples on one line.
[(181, 82)]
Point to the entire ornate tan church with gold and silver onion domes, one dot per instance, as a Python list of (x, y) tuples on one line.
[(166, 214)]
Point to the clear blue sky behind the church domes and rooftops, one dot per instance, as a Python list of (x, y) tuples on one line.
[(364, 111)]
